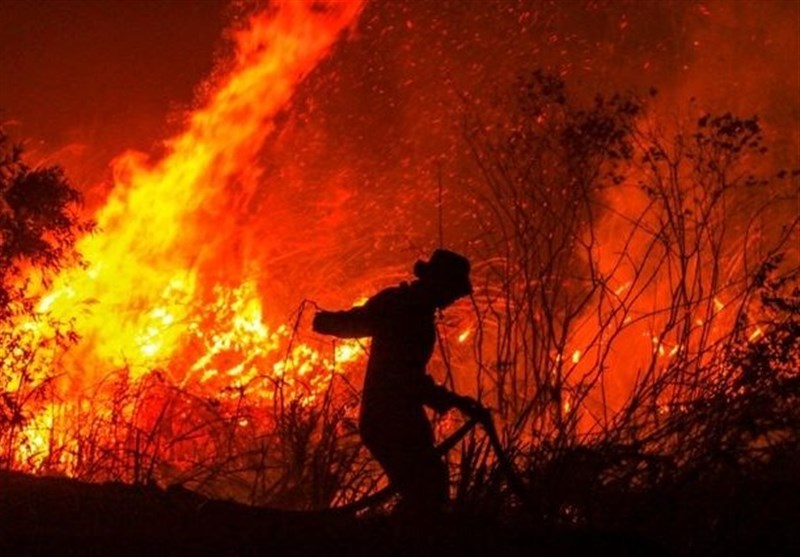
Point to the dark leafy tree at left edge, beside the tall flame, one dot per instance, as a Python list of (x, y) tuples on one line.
[(38, 229)]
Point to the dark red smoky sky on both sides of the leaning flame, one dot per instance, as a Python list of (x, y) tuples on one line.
[(82, 80)]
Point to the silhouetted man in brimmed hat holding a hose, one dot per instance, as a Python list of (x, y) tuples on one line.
[(393, 423)]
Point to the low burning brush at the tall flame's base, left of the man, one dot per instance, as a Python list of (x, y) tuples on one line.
[(228, 377)]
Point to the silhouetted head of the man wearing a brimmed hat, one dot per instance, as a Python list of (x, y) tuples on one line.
[(446, 274)]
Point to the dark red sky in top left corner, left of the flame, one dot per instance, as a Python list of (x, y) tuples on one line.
[(105, 72)]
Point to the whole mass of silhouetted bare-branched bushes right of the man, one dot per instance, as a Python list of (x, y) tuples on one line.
[(624, 250)]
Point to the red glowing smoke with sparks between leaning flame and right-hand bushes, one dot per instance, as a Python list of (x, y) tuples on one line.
[(352, 175)]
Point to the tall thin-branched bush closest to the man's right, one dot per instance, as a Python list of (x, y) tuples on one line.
[(544, 163)]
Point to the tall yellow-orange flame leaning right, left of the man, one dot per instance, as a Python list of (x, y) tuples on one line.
[(161, 290)]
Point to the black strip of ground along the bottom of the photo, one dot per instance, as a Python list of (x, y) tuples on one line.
[(61, 516)]
